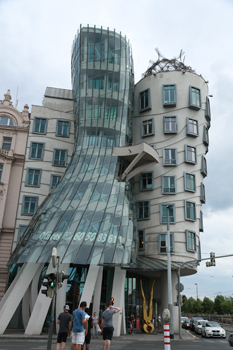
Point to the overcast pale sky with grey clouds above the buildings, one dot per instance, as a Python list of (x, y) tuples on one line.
[(35, 48)]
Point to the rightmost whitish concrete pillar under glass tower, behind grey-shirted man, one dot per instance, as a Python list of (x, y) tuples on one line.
[(118, 293)]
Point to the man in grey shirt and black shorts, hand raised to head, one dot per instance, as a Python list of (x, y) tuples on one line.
[(107, 324)]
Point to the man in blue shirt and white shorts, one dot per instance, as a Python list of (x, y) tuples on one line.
[(78, 335)]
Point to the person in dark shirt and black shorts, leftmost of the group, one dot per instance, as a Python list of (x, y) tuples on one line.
[(64, 321)]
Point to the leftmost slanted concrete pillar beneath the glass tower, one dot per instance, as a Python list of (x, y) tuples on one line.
[(15, 293)]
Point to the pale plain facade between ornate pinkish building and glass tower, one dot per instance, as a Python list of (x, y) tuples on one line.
[(49, 149)]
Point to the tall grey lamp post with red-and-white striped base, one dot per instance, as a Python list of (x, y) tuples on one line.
[(169, 279)]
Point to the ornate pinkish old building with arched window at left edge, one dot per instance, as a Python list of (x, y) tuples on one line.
[(13, 140)]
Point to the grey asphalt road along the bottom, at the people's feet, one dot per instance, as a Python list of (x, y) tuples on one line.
[(195, 343)]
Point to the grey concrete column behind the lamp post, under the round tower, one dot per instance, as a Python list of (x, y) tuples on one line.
[(164, 300)]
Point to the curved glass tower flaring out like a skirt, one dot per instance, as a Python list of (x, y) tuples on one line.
[(89, 216)]
